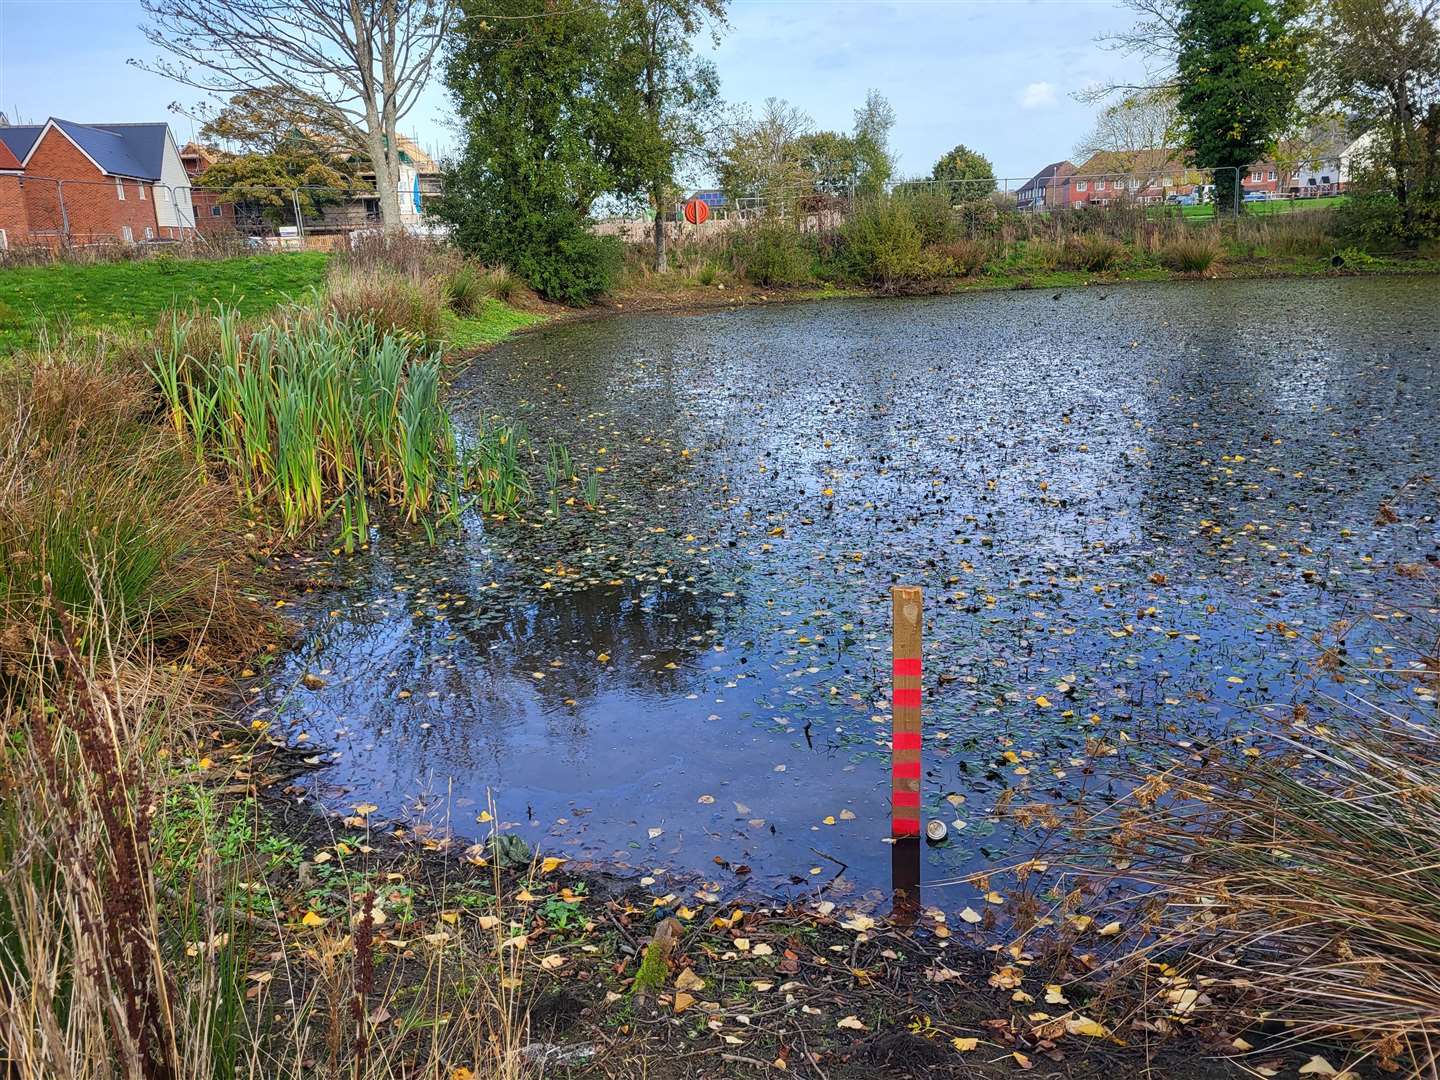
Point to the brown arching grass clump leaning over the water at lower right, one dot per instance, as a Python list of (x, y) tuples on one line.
[(1297, 878)]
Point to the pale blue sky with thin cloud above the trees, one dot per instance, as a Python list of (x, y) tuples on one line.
[(993, 74)]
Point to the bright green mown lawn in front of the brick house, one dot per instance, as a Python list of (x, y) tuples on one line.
[(126, 296)]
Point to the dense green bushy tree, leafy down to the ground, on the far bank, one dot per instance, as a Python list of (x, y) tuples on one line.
[(551, 125)]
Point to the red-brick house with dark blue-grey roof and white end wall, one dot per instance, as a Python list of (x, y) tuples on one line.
[(84, 184)]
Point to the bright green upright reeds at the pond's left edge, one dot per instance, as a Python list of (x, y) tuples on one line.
[(319, 417)]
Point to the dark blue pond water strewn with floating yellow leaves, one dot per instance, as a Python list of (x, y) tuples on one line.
[(1111, 496)]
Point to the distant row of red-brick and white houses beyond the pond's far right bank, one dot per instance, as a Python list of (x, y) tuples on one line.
[(1157, 176)]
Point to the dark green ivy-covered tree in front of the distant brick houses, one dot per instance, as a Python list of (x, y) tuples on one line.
[(1239, 74)]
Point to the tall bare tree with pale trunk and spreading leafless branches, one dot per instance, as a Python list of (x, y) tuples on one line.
[(361, 63)]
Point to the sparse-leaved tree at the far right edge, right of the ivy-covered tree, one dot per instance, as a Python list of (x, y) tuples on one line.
[(1380, 63)]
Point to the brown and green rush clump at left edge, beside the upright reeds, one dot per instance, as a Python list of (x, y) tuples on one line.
[(103, 512)]
